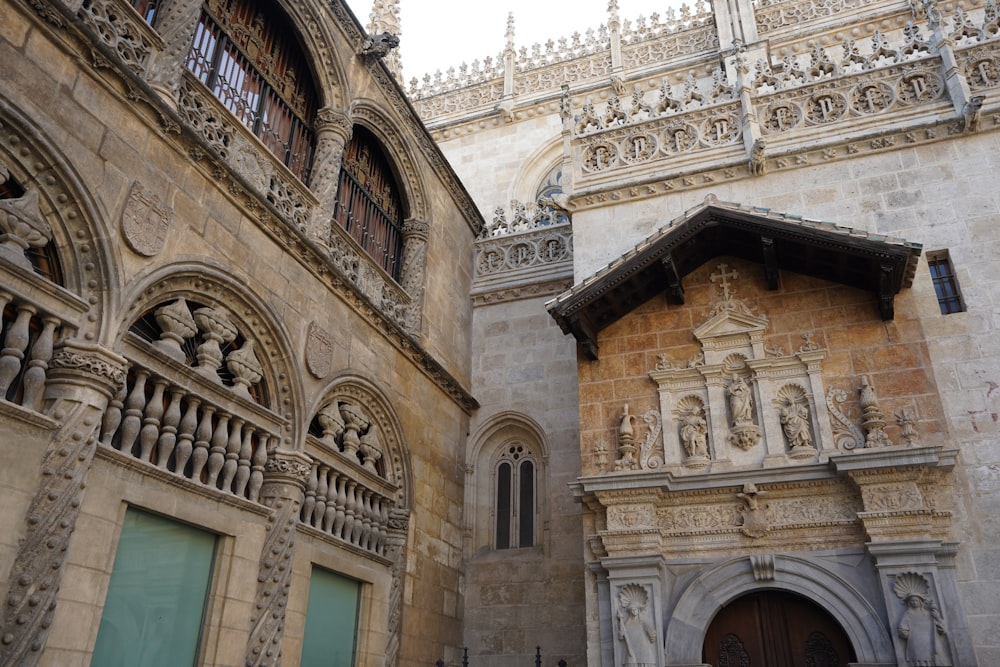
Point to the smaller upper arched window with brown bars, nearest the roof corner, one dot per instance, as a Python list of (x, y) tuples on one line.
[(369, 205)]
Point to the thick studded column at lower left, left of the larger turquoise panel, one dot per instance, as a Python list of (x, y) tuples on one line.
[(81, 380)]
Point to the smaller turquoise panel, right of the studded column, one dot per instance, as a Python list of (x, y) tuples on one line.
[(331, 621)]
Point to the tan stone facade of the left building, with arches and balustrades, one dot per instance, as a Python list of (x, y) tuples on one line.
[(181, 336)]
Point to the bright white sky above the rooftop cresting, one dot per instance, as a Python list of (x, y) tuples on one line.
[(438, 35)]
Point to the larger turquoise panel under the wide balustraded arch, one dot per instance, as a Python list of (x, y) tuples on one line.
[(155, 605)]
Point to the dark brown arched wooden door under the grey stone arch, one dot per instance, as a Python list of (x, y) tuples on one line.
[(775, 629)]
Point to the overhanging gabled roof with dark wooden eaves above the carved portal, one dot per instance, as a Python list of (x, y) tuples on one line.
[(777, 241)]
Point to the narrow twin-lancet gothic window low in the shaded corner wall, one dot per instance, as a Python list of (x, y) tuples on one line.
[(515, 498)]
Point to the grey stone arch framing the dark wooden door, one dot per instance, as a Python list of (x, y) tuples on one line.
[(718, 586)]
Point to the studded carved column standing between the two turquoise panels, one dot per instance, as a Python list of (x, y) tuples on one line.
[(285, 475)]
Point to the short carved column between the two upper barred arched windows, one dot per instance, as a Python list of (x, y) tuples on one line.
[(333, 131)]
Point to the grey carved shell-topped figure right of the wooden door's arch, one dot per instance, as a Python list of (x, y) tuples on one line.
[(921, 626)]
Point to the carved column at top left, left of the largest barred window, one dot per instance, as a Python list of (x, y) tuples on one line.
[(175, 22)]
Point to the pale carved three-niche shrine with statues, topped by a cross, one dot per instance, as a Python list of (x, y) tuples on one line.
[(736, 404)]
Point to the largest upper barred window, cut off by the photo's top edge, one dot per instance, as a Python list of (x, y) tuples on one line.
[(248, 55)]
